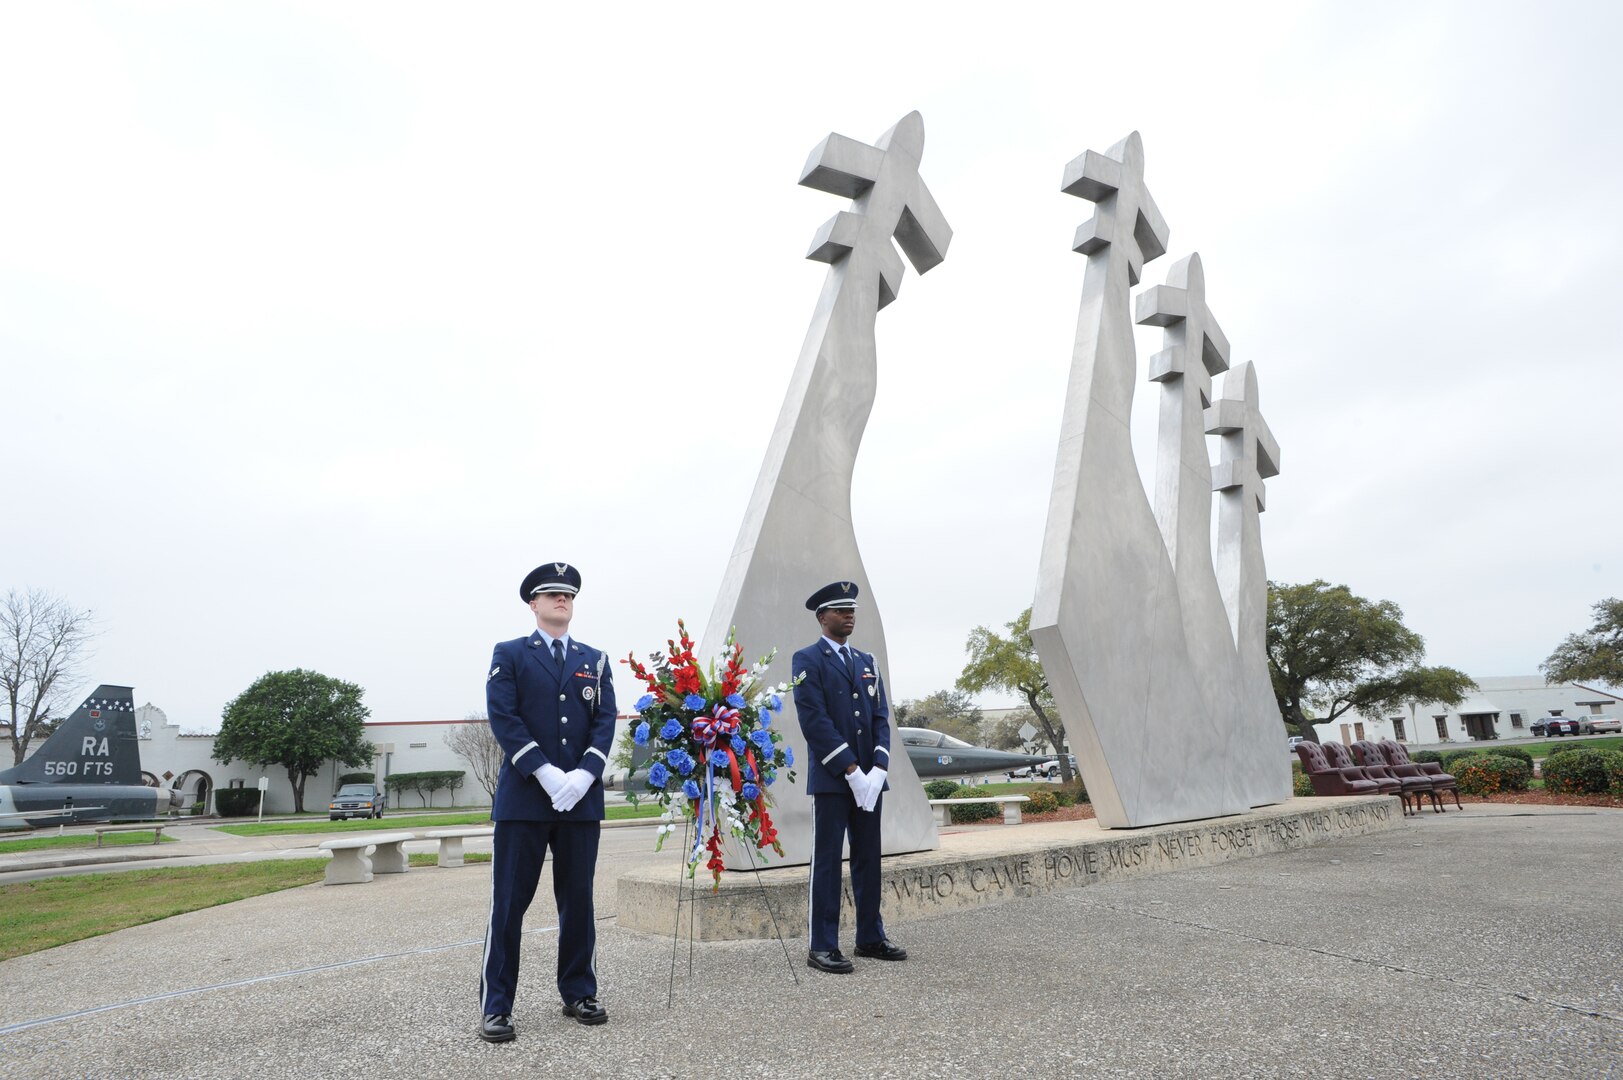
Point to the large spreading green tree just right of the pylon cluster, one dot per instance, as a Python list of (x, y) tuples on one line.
[(1332, 652)]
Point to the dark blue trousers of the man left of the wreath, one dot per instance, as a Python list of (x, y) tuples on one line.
[(520, 852)]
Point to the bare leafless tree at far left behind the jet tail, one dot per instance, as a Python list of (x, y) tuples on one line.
[(40, 662)]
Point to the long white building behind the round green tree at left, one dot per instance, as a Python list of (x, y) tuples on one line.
[(186, 761)]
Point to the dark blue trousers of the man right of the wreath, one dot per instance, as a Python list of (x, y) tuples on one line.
[(833, 818)]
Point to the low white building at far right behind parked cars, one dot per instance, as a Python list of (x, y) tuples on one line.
[(1499, 709)]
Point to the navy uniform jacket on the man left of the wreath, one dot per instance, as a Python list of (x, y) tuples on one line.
[(541, 719)]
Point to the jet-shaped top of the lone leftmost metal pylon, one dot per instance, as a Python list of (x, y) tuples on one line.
[(889, 201)]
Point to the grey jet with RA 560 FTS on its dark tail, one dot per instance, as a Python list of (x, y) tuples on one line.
[(88, 771)]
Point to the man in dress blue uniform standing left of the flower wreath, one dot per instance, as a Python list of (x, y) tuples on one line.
[(551, 704)]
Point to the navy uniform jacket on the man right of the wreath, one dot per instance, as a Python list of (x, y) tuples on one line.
[(842, 722)]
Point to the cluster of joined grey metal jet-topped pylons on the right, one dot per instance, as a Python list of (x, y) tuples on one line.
[(1130, 621)]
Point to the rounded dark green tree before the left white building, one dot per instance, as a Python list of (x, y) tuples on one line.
[(298, 720)]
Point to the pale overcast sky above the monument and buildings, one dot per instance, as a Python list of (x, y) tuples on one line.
[(321, 326)]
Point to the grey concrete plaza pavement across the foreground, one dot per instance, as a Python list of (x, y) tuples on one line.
[(1486, 943)]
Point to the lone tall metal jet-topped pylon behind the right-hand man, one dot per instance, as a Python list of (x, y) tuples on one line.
[(798, 530)]
